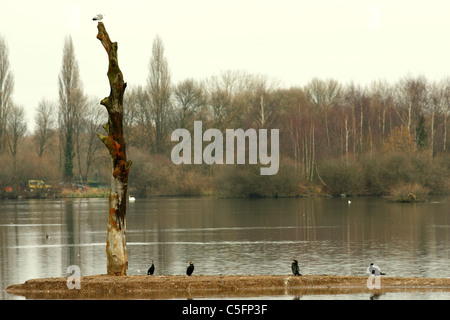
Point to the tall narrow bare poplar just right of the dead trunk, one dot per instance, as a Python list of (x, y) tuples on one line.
[(159, 93)]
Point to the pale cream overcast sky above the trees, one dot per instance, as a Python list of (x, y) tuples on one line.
[(289, 40)]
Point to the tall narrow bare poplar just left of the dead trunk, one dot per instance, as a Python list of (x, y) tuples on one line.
[(71, 101)]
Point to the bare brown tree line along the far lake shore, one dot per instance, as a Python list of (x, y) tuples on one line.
[(335, 138)]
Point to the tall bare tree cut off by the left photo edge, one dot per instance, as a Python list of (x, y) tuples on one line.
[(6, 88)]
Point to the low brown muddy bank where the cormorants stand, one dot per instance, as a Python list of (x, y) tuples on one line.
[(181, 287)]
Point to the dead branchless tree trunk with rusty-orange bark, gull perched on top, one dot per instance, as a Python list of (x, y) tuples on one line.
[(116, 250)]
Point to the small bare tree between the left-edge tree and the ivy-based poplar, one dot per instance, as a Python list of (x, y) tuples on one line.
[(45, 125)]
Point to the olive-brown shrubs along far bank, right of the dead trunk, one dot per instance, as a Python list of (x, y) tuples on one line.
[(392, 174)]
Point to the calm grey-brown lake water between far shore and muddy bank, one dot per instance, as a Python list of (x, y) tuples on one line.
[(230, 236)]
